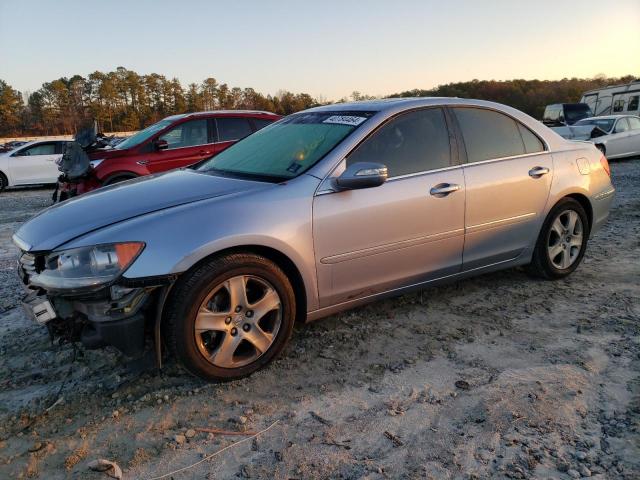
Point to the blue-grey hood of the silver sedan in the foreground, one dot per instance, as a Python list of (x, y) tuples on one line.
[(109, 205)]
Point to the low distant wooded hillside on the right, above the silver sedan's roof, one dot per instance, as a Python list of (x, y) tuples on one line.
[(530, 96)]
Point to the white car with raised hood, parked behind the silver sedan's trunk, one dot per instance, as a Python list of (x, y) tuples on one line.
[(622, 137)]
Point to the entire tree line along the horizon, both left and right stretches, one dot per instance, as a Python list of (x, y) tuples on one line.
[(123, 100)]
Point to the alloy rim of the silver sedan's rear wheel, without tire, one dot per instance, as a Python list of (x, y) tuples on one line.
[(565, 239)]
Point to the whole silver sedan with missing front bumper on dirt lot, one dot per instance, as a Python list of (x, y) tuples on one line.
[(320, 212)]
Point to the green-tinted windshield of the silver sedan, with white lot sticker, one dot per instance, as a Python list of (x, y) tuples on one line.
[(286, 148)]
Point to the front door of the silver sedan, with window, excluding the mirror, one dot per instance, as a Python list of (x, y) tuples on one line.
[(406, 231)]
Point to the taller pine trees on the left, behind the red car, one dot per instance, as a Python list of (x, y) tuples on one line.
[(124, 100)]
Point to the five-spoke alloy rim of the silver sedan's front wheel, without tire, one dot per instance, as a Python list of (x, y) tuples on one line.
[(238, 321)]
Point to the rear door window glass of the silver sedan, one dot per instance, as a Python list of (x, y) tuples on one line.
[(488, 134)]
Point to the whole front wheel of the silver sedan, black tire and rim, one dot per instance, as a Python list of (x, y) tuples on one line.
[(230, 316)]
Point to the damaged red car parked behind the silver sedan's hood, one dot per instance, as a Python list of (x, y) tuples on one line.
[(174, 142)]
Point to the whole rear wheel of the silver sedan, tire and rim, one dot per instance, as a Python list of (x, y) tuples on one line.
[(562, 241)]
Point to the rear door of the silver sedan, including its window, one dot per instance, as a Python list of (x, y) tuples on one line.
[(508, 177)]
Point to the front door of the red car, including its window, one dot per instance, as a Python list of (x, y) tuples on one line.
[(186, 143)]
